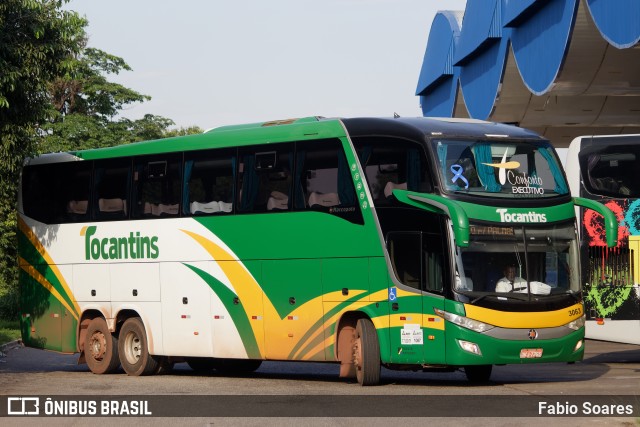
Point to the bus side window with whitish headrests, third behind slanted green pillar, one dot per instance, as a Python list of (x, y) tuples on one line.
[(209, 182)]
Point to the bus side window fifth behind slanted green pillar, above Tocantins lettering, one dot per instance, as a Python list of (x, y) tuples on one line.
[(111, 189)]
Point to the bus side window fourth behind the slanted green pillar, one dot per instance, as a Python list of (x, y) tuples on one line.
[(156, 186)]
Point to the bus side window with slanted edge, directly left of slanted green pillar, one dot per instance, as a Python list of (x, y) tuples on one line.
[(323, 181)]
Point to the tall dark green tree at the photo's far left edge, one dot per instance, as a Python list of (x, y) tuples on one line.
[(36, 36)]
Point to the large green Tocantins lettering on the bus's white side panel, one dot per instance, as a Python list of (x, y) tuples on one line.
[(134, 246)]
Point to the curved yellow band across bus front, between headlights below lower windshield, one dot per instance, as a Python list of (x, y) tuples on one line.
[(538, 319)]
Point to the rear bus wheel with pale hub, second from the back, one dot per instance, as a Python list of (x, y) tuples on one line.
[(133, 349)]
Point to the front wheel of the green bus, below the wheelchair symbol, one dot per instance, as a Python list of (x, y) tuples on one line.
[(366, 353)]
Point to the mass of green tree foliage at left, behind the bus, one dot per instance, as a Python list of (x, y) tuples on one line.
[(55, 96)]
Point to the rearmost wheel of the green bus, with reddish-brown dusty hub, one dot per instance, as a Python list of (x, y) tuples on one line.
[(101, 348)]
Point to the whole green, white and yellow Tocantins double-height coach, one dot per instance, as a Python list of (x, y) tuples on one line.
[(364, 242)]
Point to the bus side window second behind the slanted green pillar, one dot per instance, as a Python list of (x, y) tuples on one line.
[(265, 177)]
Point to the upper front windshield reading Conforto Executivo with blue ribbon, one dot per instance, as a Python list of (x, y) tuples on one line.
[(509, 169)]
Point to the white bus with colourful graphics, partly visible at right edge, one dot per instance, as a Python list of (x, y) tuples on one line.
[(607, 169)]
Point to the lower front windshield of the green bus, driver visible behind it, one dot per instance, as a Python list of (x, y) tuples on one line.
[(519, 260)]
